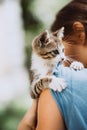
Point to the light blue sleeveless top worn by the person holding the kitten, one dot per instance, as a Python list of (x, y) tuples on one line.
[(72, 101)]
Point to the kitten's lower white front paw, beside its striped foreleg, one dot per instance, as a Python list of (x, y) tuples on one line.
[(57, 84)]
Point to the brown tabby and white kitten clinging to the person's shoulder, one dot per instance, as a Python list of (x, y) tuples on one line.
[(47, 51)]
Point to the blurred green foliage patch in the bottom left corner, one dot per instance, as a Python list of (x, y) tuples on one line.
[(10, 118)]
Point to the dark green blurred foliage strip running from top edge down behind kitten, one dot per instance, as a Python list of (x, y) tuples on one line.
[(32, 25)]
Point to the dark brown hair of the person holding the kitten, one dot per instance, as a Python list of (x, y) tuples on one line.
[(76, 10)]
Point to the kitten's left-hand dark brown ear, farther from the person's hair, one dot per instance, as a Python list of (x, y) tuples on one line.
[(44, 38)]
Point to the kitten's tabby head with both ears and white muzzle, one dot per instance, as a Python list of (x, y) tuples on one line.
[(48, 45)]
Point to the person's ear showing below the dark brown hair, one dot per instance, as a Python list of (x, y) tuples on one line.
[(79, 31)]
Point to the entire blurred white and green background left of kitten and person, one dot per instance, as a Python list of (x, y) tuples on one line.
[(20, 22)]
